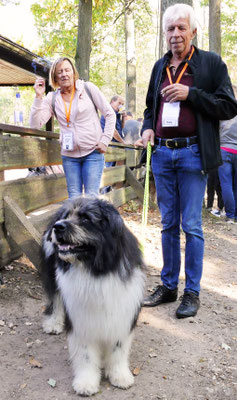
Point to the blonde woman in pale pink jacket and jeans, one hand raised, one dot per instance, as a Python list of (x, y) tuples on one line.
[(83, 143)]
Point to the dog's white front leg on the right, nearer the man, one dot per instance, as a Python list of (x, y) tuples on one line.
[(116, 364)]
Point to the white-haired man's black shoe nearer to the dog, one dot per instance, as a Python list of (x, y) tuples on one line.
[(161, 295)]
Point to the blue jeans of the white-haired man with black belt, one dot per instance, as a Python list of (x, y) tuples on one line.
[(180, 188)]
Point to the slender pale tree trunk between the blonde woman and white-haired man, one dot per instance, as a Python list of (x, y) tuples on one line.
[(130, 59)]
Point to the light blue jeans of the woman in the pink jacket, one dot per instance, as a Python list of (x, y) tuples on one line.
[(83, 172)]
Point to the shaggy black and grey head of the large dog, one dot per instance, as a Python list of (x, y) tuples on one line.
[(92, 231)]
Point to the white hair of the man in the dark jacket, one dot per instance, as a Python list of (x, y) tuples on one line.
[(180, 10)]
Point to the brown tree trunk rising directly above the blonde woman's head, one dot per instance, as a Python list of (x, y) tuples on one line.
[(83, 50)]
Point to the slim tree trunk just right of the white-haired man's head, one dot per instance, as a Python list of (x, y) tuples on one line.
[(215, 26)]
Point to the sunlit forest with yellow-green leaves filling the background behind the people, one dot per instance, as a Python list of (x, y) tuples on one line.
[(57, 24)]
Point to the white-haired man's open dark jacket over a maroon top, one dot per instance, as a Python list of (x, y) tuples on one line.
[(211, 97)]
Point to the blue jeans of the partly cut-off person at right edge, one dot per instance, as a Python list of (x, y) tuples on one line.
[(228, 178)]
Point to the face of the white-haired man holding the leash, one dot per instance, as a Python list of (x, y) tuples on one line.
[(178, 36)]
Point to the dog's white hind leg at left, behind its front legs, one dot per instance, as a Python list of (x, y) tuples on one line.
[(54, 320)]
